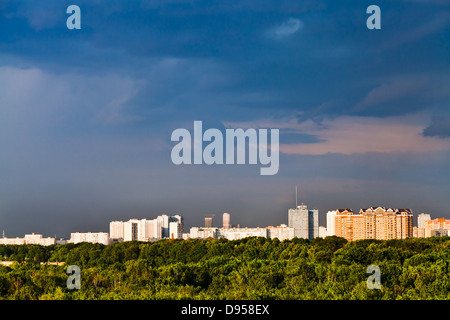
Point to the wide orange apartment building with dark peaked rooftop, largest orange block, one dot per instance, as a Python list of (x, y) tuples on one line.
[(374, 223)]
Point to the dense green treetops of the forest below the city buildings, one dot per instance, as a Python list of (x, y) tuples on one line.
[(251, 268)]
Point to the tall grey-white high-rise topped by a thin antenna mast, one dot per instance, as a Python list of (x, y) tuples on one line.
[(305, 222)]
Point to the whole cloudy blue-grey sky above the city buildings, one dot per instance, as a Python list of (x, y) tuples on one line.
[(86, 115)]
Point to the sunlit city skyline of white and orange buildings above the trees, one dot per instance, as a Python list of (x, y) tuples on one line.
[(377, 222)]
